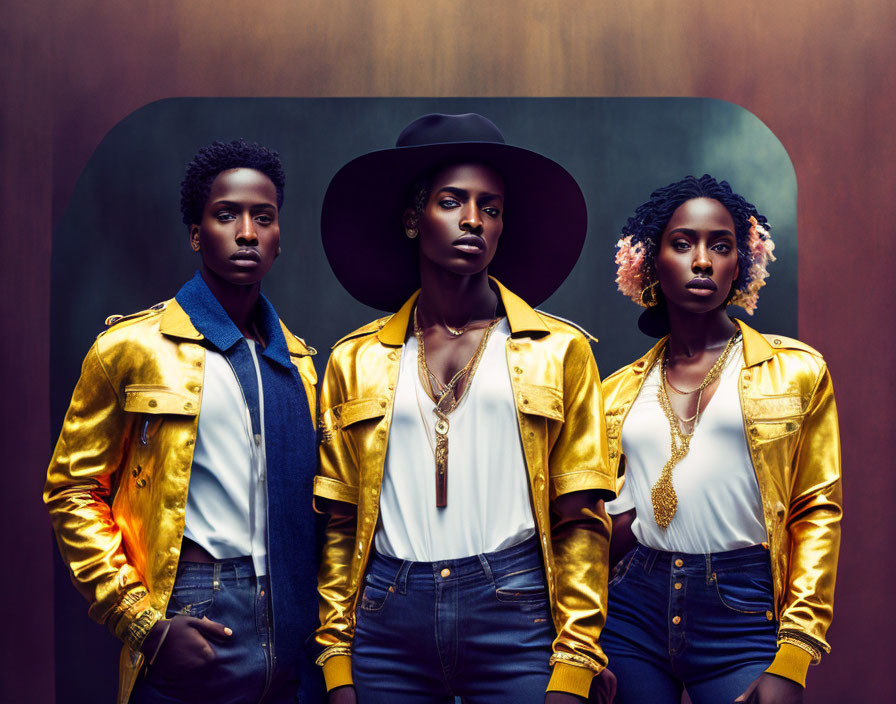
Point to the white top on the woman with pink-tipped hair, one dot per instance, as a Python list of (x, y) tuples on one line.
[(719, 505)]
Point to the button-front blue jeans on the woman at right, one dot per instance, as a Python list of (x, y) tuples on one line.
[(700, 622)]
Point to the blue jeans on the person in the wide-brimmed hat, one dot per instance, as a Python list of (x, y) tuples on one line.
[(478, 627)]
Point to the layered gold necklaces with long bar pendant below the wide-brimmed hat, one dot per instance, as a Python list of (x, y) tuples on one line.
[(446, 399)]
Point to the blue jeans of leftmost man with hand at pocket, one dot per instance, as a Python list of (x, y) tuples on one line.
[(245, 669)]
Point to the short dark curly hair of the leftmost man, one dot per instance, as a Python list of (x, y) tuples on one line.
[(221, 156)]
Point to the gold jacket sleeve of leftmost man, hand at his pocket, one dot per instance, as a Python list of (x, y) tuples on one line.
[(81, 480)]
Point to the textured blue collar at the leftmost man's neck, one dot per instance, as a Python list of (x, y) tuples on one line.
[(211, 320)]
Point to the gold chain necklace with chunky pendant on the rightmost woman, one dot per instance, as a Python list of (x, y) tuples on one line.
[(662, 495)]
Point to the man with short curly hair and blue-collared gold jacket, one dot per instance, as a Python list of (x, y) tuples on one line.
[(180, 487)]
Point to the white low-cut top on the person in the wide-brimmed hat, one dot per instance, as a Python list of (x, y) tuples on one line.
[(488, 493)]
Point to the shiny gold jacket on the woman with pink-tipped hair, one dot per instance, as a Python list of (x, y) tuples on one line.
[(790, 421)]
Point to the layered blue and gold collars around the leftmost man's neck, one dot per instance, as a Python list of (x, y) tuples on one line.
[(196, 314)]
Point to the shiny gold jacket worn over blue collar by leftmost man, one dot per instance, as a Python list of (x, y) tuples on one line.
[(117, 484)]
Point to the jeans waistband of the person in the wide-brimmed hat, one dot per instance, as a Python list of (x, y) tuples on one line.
[(524, 555)]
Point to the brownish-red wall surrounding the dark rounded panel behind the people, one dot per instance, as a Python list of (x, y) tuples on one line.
[(819, 76)]
